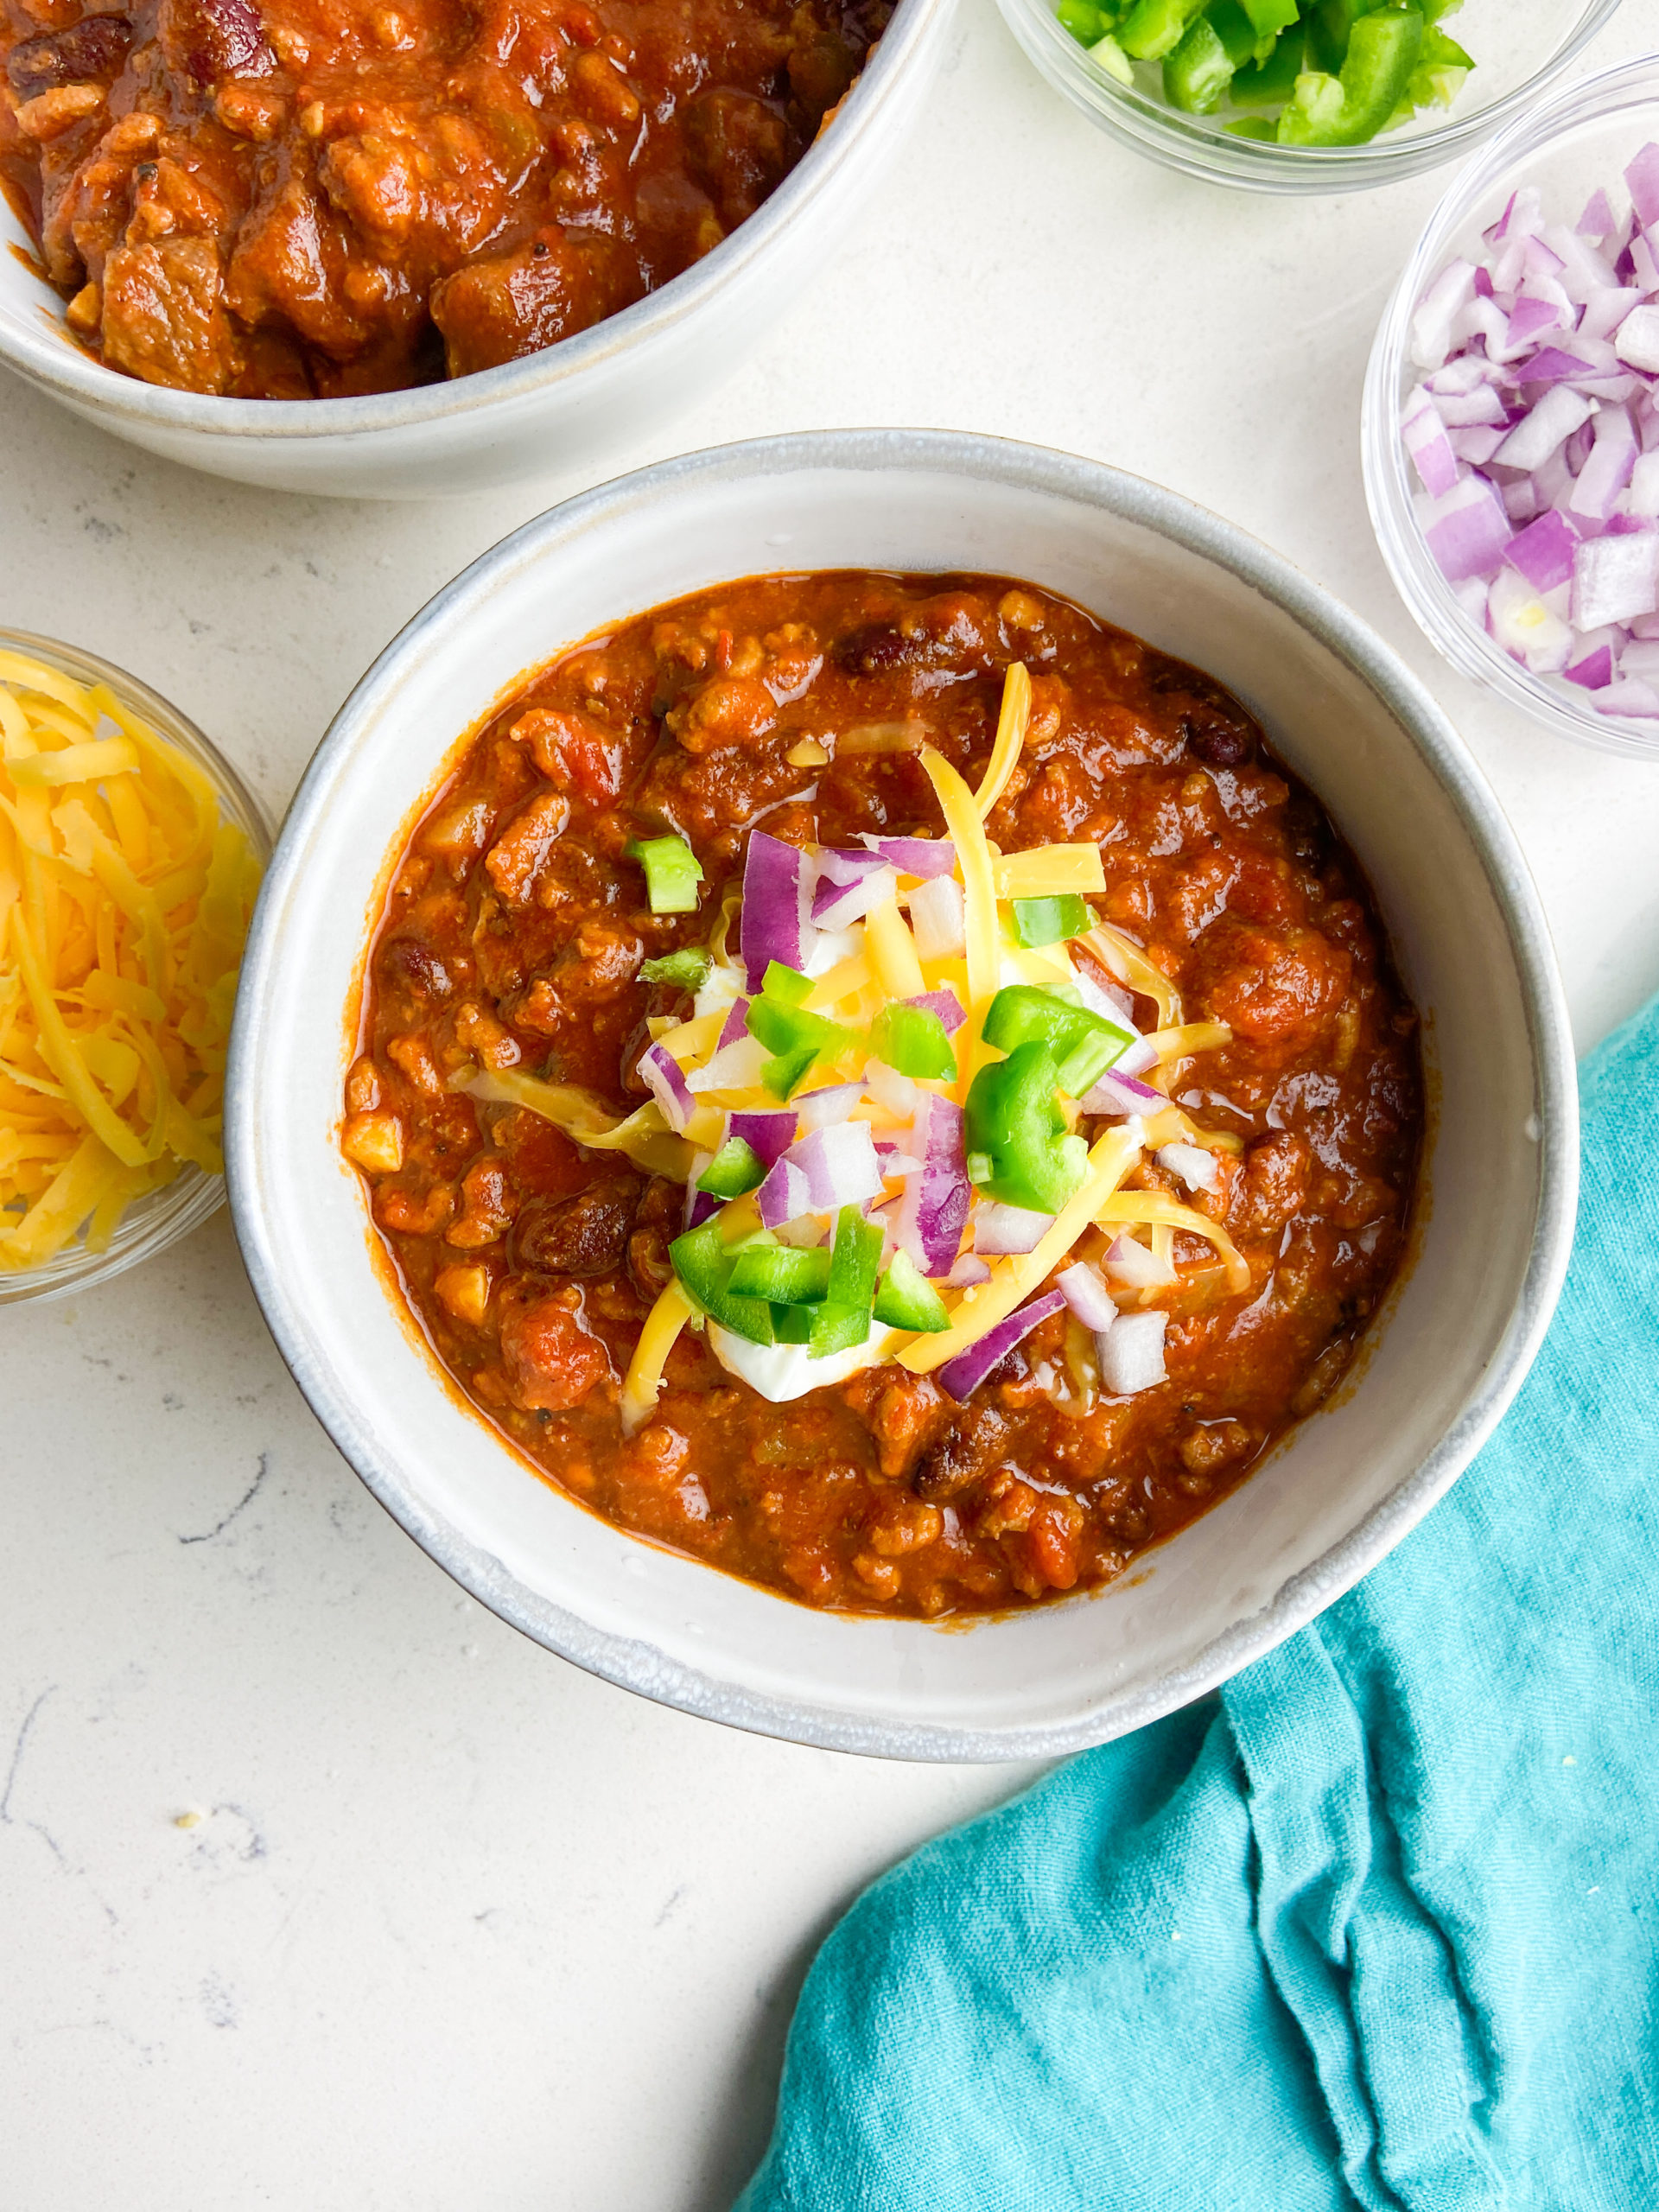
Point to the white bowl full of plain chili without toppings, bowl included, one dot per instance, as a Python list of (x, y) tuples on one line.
[(419, 249)]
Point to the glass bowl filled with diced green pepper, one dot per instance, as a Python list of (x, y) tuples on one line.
[(1304, 96)]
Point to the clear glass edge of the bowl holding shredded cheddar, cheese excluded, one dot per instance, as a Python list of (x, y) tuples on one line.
[(191, 1198)]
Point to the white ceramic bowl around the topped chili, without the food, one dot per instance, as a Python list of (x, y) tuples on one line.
[(1443, 1357)]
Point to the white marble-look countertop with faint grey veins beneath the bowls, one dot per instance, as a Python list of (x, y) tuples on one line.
[(322, 1888)]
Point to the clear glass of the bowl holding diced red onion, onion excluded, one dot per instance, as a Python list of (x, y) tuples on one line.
[(1569, 147)]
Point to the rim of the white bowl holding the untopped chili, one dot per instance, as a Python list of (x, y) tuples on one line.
[(56, 362)]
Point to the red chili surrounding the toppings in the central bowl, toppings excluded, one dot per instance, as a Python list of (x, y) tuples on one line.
[(517, 928)]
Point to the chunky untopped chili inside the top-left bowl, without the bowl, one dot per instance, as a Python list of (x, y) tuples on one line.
[(295, 200)]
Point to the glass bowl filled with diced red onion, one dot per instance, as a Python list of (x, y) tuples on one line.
[(1512, 417)]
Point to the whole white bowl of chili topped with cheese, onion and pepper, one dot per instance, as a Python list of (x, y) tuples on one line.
[(1039, 1204)]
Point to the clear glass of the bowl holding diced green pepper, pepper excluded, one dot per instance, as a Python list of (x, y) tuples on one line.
[(1519, 48)]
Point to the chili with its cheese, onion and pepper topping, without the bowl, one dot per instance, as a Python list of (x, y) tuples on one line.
[(884, 1085)]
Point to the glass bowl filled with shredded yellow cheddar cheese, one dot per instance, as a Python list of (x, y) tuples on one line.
[(129, 866)]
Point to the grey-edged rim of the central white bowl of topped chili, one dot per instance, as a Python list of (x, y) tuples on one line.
[(634, 1665)]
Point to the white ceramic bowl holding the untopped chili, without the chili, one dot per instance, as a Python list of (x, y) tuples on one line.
[(521, 421)]
